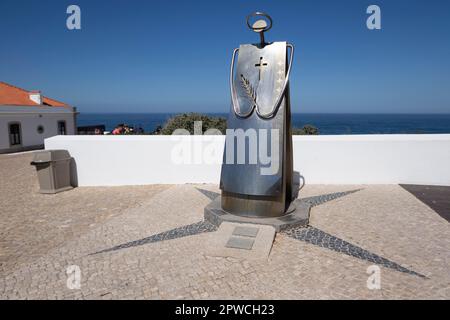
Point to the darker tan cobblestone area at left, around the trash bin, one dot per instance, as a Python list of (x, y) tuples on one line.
[(31, 224)]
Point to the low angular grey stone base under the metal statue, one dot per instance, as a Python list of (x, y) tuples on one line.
[(298, 216)]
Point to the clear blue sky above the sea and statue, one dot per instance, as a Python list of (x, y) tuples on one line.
[(174, 56)]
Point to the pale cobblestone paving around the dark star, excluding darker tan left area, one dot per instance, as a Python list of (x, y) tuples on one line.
[(385, 220)]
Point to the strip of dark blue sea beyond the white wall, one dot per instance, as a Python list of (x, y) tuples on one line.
[(328, 124)]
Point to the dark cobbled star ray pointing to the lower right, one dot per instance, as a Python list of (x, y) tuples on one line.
[(322, 239)]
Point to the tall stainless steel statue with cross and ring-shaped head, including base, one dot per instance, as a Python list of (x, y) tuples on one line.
[(257, 178)]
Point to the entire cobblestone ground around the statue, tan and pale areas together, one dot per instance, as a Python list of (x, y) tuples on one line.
[(384, 221)]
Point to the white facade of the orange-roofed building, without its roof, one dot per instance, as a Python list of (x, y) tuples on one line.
[(30, 118)]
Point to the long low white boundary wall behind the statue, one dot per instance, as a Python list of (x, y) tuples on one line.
[(364, 159)]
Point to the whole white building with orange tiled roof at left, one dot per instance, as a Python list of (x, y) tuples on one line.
[(27, 118)]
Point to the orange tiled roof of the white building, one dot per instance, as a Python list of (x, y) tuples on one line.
[(12, 95)]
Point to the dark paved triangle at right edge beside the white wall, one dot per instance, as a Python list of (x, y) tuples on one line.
[(436, 197)]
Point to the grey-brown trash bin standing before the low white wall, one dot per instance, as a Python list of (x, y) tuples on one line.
[(53, 170)]
